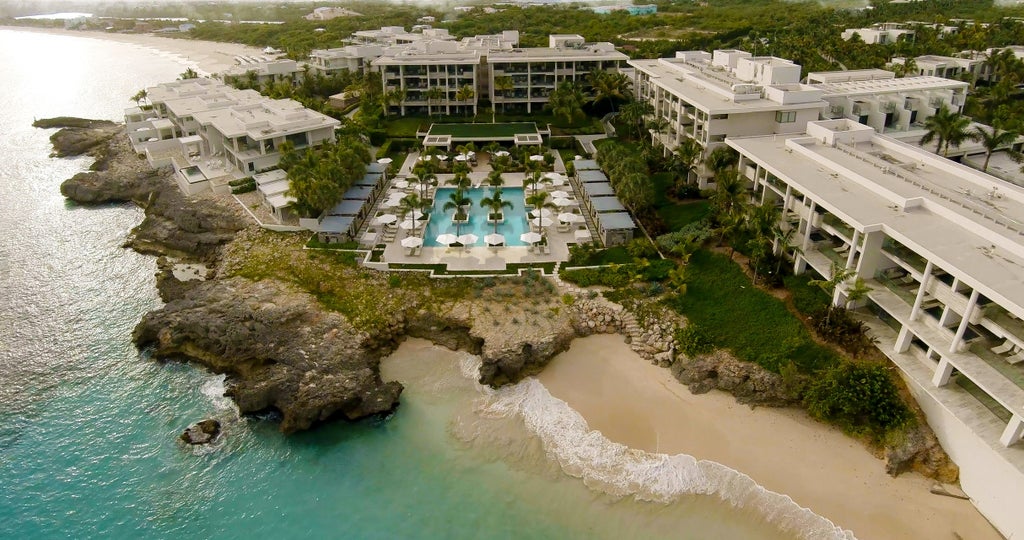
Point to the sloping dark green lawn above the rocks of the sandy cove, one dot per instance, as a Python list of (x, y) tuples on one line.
[(756, 326)]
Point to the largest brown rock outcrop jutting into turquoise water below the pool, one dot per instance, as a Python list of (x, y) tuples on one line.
[(280, 349)]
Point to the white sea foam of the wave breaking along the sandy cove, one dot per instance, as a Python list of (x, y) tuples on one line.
[(622, 472)]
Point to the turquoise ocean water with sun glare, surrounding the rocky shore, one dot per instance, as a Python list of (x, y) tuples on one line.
[(89, 425)]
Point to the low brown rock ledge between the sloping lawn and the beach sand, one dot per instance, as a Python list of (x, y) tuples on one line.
[(749, 383)]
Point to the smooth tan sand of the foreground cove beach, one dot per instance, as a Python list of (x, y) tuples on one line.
[(639, 405)]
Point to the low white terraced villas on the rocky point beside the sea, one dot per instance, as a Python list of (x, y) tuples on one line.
[(212, 134)]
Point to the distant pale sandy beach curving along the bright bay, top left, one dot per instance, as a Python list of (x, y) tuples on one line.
[(205, 57)]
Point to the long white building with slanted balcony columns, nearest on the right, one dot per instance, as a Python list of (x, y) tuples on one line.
[(942, 247)]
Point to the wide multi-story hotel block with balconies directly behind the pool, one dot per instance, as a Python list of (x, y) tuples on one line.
[(493, 66)]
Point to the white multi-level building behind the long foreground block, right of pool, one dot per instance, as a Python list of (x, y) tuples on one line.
[(729, 94)]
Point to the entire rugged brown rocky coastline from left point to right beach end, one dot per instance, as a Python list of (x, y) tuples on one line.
[(282, 350)]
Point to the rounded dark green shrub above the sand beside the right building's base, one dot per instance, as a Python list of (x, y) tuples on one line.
[(862, 399)]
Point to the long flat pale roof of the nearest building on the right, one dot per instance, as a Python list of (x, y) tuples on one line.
[(948, 213)]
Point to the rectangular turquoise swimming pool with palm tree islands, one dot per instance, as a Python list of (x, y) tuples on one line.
[(516, 218)]
